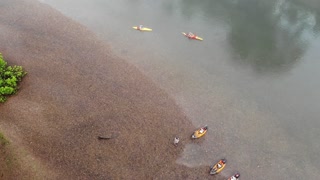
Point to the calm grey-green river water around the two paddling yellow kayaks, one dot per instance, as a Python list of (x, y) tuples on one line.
[(253, 80)]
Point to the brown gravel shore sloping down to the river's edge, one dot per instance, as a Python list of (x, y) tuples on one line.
[(76, 90)]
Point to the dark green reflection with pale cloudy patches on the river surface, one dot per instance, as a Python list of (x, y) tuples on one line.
[(268, 35)]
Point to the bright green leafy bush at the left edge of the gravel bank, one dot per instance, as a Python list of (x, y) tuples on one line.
[(9, 77)]
